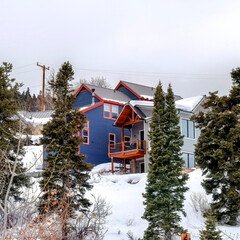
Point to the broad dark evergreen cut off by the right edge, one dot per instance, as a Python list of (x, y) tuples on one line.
[(218, 151)]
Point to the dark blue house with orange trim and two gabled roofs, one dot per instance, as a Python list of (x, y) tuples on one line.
[(102, 107)]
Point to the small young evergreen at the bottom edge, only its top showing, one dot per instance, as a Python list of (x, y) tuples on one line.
[(210, 232)]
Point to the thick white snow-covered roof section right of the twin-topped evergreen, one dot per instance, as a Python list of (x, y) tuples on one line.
[(188, 104)]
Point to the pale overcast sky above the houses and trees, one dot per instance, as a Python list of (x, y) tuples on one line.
[(191, 44)]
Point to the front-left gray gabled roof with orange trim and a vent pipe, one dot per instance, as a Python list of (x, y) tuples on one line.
[(107, 94)]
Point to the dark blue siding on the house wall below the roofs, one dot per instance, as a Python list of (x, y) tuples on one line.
[(99, 128)]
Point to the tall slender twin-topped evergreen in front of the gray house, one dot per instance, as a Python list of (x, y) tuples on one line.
[(165, 187)]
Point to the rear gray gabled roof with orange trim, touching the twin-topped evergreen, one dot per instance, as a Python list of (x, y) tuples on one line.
[(142, 91)]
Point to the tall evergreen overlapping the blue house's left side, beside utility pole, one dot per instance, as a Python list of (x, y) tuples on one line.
[(66, 173)]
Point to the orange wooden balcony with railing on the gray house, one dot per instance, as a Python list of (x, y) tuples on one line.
[(130, 149)]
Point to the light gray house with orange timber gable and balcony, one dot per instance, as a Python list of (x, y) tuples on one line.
[(136, 116)]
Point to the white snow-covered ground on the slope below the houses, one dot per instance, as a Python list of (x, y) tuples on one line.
[(124, 194)]
